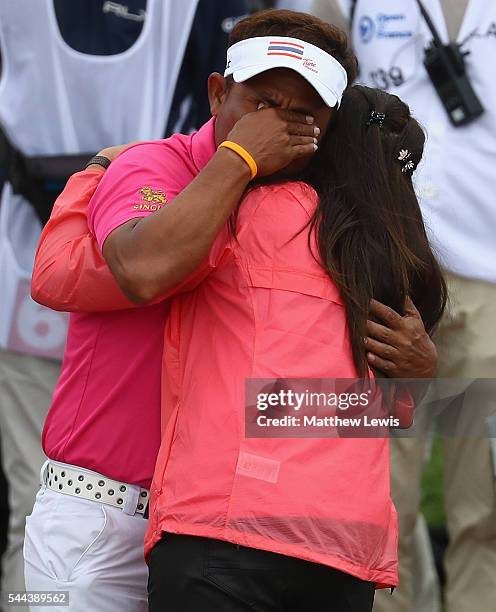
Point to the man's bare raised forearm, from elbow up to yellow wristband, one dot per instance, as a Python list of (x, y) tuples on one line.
[(150, 256)]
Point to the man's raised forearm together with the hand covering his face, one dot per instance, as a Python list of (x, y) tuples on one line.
[(151, 256)]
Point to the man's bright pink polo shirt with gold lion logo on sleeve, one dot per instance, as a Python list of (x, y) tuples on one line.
[(105, 413)]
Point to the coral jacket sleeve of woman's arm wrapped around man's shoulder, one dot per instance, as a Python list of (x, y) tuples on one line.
[(69, 272)]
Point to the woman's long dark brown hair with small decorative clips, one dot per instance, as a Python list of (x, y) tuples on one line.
[(370, 233)]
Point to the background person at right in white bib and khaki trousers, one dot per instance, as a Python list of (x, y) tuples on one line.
[(456, 186)]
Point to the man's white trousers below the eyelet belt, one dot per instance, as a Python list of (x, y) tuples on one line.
[(92, 550)]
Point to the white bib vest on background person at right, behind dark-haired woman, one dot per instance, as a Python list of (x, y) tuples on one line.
[(457, 178)]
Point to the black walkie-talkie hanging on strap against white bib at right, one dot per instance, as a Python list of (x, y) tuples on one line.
[(445, 65)]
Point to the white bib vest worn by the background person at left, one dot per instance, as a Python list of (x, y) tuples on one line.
[(55, 100)]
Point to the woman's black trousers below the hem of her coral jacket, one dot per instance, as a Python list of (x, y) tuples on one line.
[(193, 574)]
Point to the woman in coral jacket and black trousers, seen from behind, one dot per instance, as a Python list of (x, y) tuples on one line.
[(275, 524)]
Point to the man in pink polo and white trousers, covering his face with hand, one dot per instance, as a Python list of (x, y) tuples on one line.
[(103, 430)]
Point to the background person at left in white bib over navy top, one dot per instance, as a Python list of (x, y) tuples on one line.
[(76, 76)]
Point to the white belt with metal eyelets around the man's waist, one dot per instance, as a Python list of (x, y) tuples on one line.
[(85, 484)]
